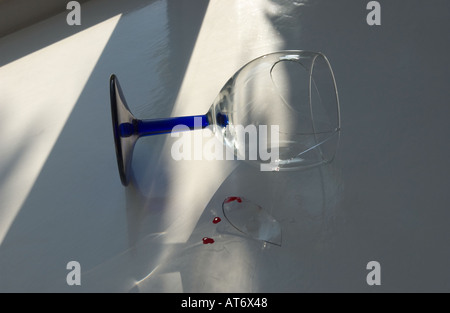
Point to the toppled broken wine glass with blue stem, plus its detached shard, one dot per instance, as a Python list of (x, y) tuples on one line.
[(292, 92)]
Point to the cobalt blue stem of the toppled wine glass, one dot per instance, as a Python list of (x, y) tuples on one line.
[(143, 128)]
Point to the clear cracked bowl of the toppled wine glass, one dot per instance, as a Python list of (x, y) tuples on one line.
[(293, 90)]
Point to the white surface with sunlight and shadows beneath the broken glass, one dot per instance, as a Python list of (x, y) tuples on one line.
[(384, 198)]
